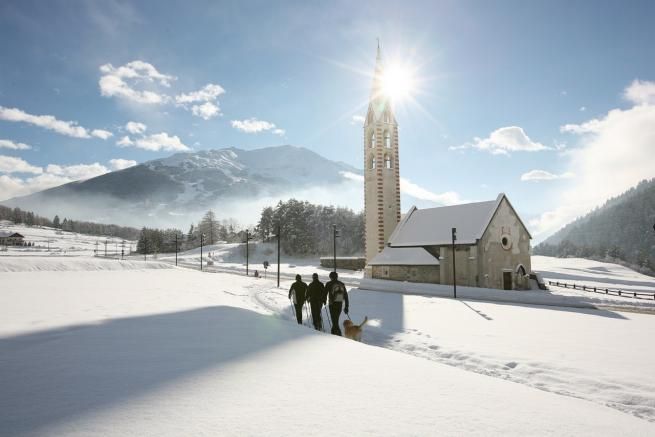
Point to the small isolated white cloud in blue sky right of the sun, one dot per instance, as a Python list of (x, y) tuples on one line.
[(503, 141)]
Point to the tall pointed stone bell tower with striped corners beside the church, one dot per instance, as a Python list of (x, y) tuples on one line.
[(381, 173)]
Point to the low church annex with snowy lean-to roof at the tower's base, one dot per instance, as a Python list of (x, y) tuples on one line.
[(412, 264)]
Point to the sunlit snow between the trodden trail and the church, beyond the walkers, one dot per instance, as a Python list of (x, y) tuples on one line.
[(580, 353)]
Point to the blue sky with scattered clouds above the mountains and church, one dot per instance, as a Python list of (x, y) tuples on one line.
[(567, 87)]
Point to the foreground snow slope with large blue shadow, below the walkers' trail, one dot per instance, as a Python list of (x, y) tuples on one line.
[(178, 352)]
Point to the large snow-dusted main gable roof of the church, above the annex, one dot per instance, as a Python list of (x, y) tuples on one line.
[(432, 226)]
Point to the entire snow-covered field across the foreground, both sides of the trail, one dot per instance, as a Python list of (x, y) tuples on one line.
[(87, 350)]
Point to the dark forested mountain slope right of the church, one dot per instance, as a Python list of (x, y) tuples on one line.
[(621, 229)]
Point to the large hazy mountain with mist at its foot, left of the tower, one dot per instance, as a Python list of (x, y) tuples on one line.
[(155, 192)]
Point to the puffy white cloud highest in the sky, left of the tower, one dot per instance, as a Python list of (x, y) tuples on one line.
[(120, 82)]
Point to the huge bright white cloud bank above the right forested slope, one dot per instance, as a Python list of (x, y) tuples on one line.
[(613, 154)]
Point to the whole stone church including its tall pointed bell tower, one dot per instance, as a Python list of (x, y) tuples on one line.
[(491, 244)]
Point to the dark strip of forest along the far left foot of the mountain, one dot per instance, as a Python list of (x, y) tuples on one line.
[(28, 218)]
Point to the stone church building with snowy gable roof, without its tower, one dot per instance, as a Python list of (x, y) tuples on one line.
[(492, 248)]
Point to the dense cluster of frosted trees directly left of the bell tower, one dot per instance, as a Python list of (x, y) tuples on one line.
[(306, 229)]
